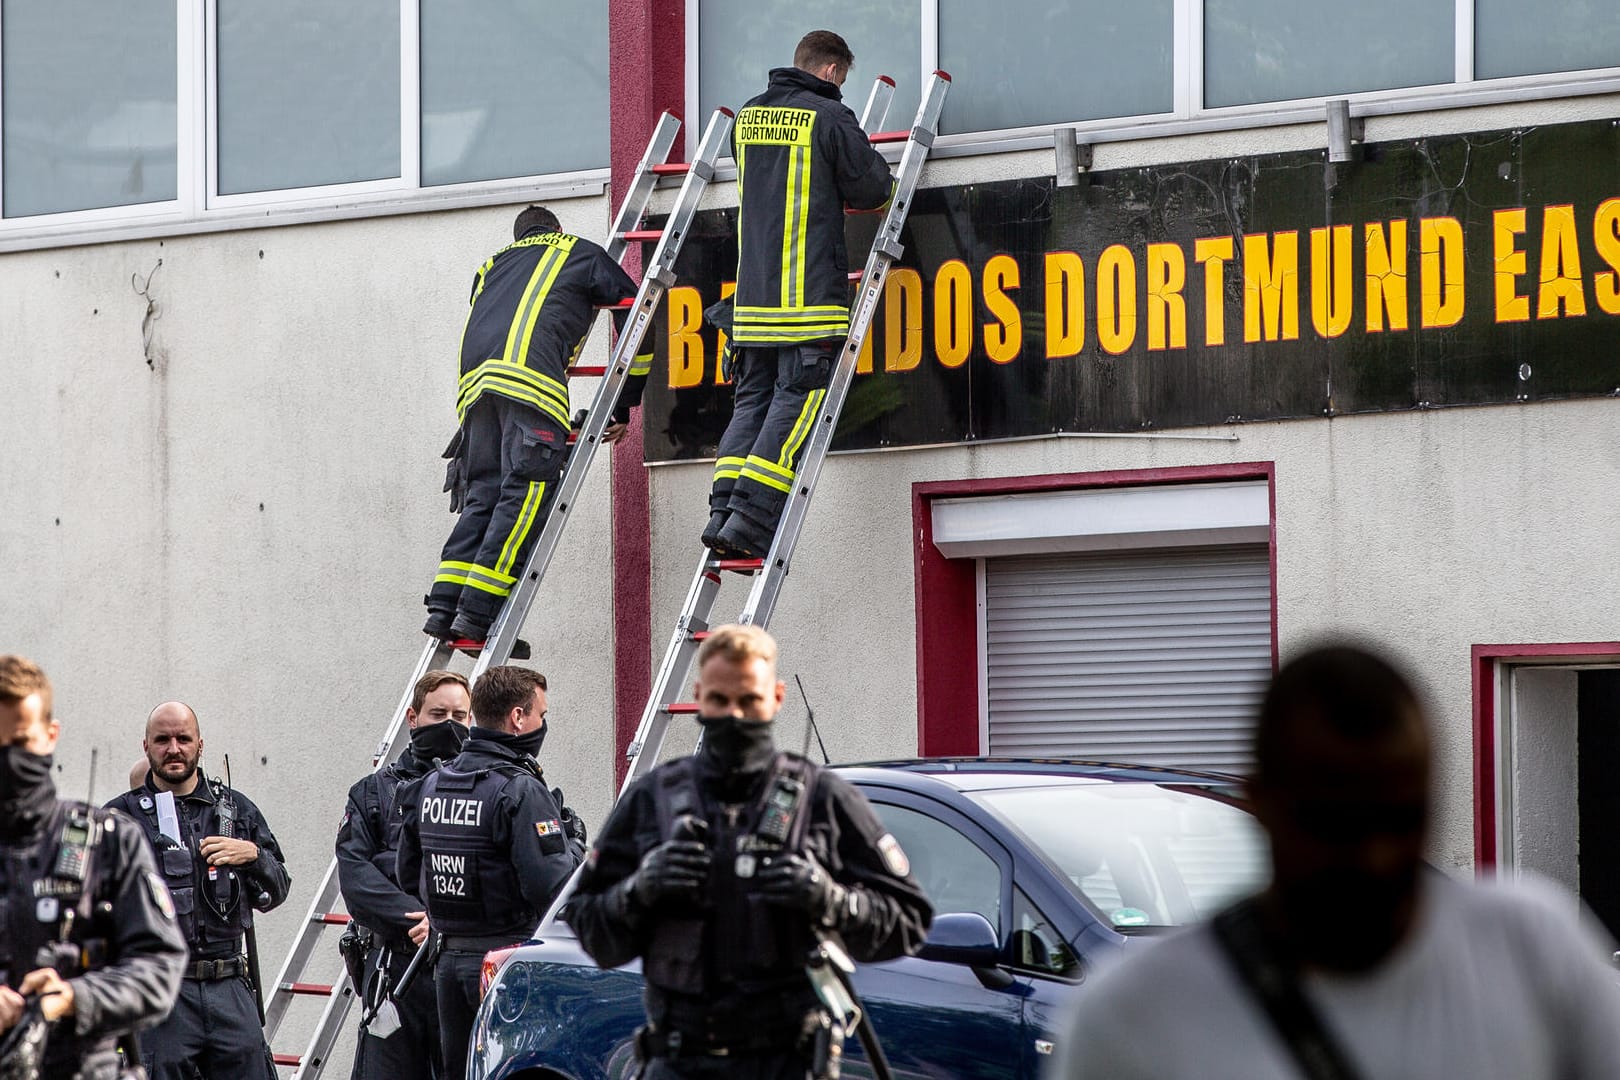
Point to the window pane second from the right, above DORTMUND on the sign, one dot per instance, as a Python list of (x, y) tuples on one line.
[(1268, 51)]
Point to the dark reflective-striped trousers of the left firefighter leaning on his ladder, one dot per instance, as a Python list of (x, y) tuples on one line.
[(513, 461)]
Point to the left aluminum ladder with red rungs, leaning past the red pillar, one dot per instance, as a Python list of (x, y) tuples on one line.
[(326, 909)]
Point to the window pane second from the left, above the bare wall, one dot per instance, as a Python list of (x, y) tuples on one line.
[(309, 93)]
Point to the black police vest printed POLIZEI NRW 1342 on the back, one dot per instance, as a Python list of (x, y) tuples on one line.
[(469, 882)]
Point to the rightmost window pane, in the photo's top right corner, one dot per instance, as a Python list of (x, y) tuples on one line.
[(1517, 38)]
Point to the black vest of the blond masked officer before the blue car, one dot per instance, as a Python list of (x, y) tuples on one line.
[(749, 940)]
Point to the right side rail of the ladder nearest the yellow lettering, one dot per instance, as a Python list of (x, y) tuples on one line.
[(885, 250)]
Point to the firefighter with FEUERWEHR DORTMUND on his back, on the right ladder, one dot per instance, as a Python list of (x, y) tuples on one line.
[(806, 158)]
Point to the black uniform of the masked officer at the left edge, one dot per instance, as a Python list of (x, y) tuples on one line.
[(124, 950)]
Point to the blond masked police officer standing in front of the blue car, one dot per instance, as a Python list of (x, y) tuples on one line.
[(720, 870)]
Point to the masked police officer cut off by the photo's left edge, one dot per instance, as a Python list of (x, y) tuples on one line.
[(88, 937)]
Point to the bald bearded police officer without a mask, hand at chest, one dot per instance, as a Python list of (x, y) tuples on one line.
[(221, 864)]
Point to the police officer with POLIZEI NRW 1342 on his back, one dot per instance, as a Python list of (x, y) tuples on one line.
[(487, 844)]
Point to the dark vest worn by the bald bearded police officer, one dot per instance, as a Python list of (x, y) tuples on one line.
[(211, 903)]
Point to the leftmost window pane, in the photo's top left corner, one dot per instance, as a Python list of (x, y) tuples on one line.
[(90, 104)]
